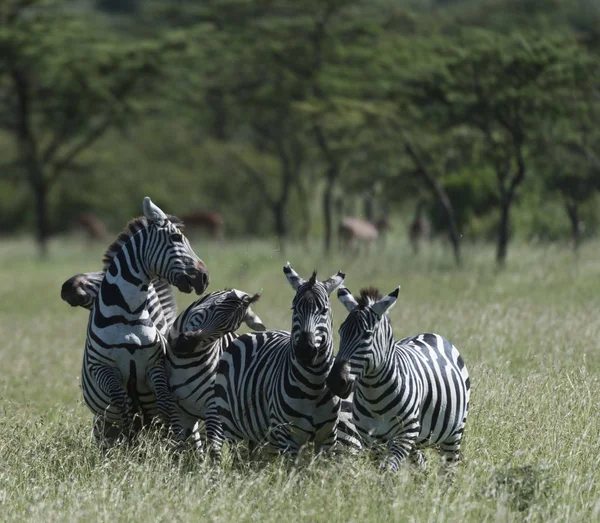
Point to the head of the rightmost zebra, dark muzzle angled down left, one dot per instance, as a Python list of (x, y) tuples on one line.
[(365, 338)]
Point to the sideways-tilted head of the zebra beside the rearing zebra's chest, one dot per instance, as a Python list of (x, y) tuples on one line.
[(213, 316)]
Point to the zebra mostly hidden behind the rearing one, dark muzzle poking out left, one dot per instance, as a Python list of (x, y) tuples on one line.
[(82, 289)]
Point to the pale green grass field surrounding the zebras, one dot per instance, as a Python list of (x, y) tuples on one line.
[(529, 335)]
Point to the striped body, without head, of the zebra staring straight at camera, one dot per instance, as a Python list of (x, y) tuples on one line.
[(264, 396)]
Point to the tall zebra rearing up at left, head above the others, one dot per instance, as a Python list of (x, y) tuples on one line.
[(123, 369)]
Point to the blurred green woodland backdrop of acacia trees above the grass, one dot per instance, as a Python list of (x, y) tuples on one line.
[(327, 123)]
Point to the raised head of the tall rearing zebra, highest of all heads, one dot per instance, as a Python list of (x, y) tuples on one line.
[(168, 255)]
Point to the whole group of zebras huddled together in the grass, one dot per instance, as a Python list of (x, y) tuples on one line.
[(143, 364)]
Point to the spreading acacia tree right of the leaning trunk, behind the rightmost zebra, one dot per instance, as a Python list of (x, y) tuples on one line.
[(502, 87)]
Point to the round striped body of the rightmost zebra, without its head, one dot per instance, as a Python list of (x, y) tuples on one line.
[(425, 386)]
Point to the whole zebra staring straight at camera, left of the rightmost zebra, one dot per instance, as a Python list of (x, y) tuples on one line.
[(270, 386)]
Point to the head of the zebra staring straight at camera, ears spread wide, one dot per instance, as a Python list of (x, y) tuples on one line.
[(311, 316)]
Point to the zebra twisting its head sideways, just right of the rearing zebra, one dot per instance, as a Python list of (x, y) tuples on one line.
[(196, 341)]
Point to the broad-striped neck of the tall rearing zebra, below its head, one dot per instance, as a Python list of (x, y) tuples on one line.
[(125, 286)]
